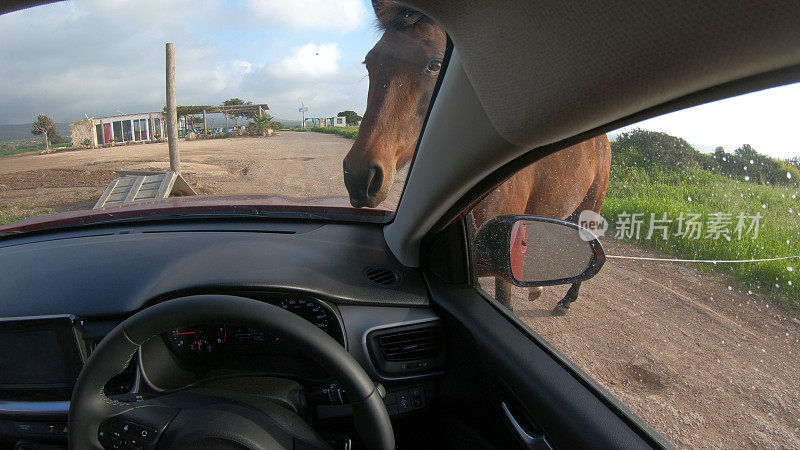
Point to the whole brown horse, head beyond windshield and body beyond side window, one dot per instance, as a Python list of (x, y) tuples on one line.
[(403, 67)]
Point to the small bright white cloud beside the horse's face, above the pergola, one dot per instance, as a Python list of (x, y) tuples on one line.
[(310, 61)]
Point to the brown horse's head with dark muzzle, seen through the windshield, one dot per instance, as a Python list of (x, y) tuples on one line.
[(402, 68)]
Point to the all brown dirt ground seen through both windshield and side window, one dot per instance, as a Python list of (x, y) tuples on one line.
[(704, 363)]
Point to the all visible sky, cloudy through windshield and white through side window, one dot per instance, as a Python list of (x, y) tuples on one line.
[(106, 57)]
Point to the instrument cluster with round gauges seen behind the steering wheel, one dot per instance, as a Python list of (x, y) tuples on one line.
[(207, 341)]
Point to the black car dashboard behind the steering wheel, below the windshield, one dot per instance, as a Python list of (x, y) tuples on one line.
[(84, 282)]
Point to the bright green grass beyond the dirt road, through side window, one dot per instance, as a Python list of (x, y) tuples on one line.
[(653, 190)]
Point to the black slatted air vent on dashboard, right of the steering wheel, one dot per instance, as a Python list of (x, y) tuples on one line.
[(408, 349)]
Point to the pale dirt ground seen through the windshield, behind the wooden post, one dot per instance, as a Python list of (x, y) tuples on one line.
[(290, 163)]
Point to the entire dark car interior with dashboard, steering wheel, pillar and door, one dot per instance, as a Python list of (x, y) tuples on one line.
[(312, 330)]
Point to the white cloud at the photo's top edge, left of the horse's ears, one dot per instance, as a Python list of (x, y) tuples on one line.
[(335, 15)]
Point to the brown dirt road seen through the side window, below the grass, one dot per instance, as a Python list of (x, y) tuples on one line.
[(706, 364)]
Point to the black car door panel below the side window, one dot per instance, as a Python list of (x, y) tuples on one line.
[(536, 388)]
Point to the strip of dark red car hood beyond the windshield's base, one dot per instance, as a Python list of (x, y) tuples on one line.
[(233, 204)]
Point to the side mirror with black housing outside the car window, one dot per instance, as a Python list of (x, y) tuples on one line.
[(537, 251)]
